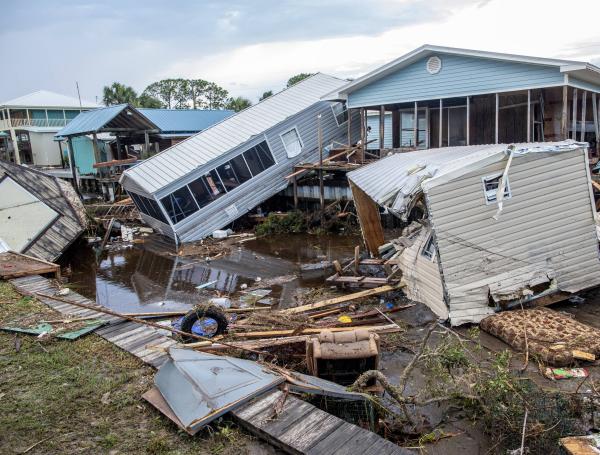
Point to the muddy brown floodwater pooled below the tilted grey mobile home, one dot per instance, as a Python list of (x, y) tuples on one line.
[(136, 278)]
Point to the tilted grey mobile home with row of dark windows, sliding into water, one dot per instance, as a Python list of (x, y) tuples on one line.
[(218, 175)]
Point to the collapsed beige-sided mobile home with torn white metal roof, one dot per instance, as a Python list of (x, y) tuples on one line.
[(497, 225)]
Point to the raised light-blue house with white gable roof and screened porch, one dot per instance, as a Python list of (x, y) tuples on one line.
[(439, 96)]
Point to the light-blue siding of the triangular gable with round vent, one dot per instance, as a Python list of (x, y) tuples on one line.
[(459, 76)]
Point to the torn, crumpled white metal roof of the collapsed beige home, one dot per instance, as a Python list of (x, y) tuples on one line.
[(396, 180)]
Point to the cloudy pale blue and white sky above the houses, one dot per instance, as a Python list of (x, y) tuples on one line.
[(252, 46)]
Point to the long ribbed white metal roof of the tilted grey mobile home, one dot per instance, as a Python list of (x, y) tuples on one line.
[(179, 160)]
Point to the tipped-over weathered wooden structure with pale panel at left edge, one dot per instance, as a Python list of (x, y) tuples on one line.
[(40, 215)]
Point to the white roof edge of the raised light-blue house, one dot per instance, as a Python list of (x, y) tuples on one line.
[(584, 70)]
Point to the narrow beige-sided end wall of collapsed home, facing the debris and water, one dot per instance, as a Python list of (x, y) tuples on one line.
[(422, 276)]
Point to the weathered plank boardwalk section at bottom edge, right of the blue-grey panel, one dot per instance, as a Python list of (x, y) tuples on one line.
[(301, 428)]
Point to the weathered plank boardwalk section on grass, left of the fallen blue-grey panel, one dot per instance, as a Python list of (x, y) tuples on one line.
[(140, 340)]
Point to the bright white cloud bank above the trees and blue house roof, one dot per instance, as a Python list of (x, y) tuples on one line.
[(533, 27)]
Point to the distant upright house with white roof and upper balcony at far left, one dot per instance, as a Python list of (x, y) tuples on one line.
[(28, 125)]
